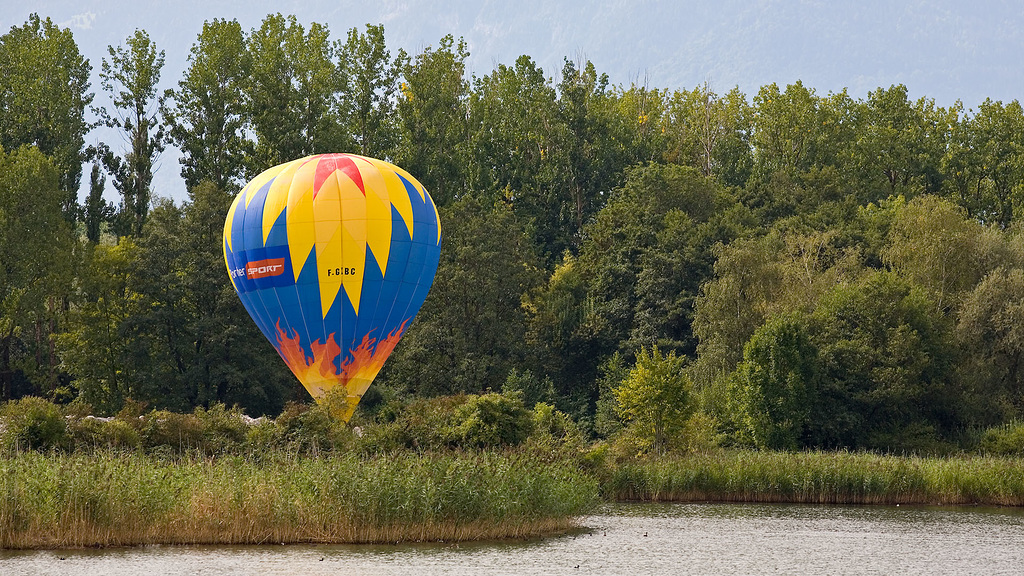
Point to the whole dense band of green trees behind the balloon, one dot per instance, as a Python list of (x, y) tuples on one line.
[(788, 270)]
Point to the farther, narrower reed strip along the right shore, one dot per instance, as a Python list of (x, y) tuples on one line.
[(827, 478)]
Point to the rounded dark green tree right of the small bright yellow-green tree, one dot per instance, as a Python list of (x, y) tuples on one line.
[(774, 388)]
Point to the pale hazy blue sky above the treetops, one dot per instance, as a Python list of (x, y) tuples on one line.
[(943, 50)]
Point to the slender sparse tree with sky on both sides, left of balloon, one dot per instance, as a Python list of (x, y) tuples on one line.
[(131, 77)]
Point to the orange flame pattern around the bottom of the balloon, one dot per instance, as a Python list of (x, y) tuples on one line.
[(320, 376)]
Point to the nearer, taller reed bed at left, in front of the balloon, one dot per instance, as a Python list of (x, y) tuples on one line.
[(112, 500)]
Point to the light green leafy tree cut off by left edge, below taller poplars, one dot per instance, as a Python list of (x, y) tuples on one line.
[(36, 269)]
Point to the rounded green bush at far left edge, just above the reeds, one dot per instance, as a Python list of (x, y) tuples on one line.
[(33, 424)]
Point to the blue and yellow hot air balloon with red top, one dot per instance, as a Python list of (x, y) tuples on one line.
[(333, 256)]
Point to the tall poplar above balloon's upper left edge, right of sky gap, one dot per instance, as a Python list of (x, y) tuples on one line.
[(206, 115)]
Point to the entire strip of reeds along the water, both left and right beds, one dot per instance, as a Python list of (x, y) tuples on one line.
[(108, 499)]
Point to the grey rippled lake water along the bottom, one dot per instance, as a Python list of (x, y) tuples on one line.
[(626, 540)]
